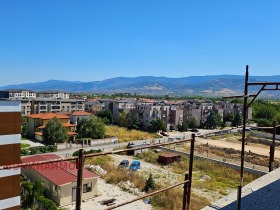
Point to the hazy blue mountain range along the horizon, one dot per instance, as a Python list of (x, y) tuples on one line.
[(214, 85)]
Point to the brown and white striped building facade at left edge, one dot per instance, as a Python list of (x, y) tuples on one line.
[(10, 137)]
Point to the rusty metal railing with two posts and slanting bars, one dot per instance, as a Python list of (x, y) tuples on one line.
[(80, 165)]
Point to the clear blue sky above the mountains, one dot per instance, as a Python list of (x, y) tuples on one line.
[(93, 40)]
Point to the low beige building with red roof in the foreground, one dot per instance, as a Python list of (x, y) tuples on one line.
[(60, 178)]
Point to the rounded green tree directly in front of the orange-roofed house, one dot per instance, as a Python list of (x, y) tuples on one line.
[(54, 131)]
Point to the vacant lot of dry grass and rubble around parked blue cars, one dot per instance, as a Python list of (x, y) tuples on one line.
[(210, 181)]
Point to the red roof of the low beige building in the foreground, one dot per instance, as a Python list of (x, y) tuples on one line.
[(59, 173)]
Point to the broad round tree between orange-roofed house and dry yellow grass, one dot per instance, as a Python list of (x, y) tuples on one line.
[(92, 127)]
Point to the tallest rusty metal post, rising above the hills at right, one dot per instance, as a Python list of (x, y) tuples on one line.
[(238, 205)]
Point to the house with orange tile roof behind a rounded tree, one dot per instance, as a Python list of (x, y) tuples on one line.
[(36, 123)]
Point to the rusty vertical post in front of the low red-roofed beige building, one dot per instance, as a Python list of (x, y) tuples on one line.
[(80, 166)]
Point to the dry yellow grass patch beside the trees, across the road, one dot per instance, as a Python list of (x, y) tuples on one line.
[(125, 135)]
